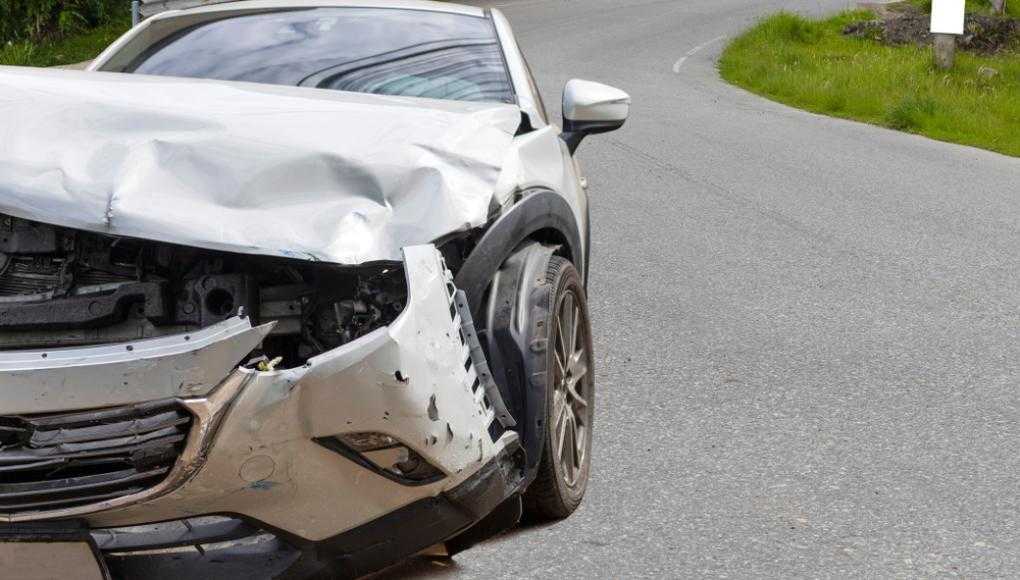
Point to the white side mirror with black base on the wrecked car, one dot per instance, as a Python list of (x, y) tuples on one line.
[(591, 109)]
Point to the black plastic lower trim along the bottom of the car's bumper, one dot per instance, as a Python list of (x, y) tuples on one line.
[(220, 547)]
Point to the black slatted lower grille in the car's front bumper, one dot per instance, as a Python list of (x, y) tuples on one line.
[(59, 461)]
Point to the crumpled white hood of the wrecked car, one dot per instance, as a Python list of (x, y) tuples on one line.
[(250, 169)]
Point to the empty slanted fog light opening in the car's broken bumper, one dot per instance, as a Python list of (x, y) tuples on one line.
[(386, 456)]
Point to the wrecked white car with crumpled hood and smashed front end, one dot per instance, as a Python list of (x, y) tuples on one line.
[(297, 285)]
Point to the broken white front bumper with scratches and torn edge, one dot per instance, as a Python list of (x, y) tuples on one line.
[(252, 451)]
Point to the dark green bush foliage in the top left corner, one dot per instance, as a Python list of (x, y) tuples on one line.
[(40, 20)]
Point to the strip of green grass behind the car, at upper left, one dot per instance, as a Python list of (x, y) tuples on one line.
[(68, 50)]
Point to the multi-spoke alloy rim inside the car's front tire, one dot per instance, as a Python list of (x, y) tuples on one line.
[(572, 396)]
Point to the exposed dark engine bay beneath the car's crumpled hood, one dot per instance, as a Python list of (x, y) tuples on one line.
[(66, 288)]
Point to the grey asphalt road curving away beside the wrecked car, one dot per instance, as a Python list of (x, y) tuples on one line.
[(808, 331)]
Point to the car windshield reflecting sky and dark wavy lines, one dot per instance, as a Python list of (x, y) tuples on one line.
[(384, 51)]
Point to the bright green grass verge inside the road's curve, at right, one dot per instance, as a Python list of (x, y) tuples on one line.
[(810, 65)]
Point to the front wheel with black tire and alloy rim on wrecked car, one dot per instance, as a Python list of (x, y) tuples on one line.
[(567, 458)]
